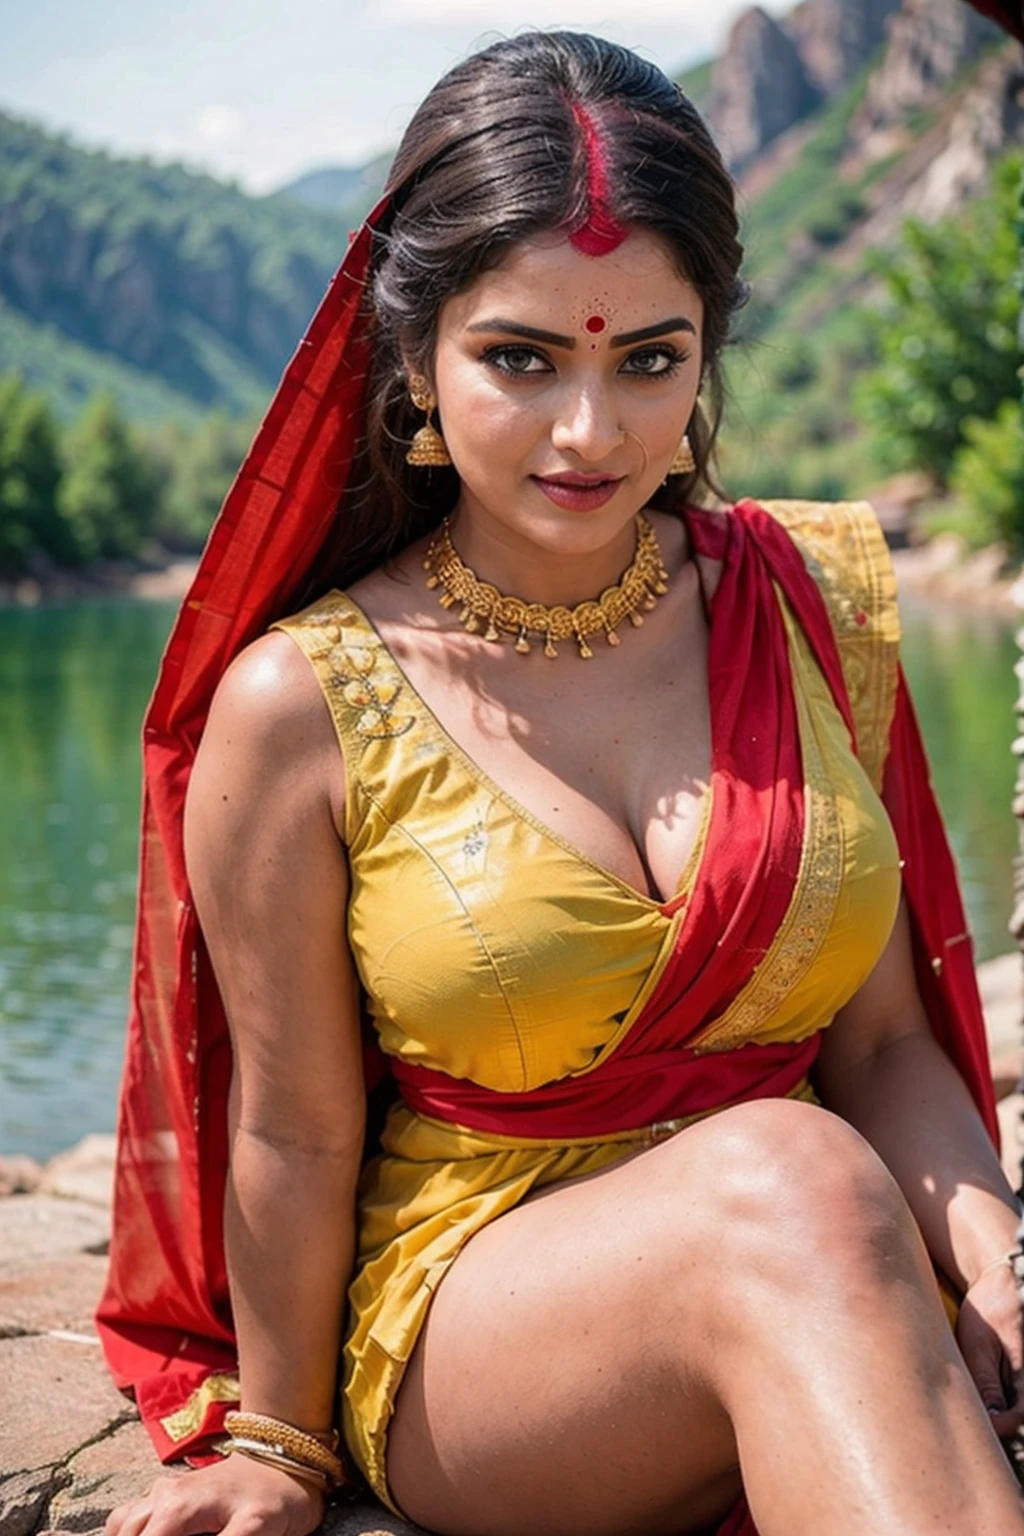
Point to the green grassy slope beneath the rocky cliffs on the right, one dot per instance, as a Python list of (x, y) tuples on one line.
[(793, 425)]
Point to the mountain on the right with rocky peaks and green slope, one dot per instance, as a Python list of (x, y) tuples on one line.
[(916, 133)]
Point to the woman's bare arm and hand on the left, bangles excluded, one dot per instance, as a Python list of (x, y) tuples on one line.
[(269, 875)]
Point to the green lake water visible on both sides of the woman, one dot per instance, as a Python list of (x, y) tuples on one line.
[(74, 683)]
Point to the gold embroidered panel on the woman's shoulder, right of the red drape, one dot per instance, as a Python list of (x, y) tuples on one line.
[(845, 551)]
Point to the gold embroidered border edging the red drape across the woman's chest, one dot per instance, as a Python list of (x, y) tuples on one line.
[(813, 905)]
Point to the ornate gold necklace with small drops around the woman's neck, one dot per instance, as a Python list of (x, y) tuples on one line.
[(639, 589)]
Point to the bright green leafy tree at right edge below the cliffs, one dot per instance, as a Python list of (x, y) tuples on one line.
[(948, 331)]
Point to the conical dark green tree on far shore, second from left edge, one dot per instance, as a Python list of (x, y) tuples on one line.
[(111, 491)]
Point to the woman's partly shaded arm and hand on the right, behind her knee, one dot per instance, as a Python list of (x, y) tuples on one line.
[(884, 1071)]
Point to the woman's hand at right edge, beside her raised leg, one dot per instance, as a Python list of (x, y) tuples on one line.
[(993, 1343)]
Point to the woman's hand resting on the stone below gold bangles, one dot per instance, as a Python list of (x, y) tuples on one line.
[(237, 1497)]
